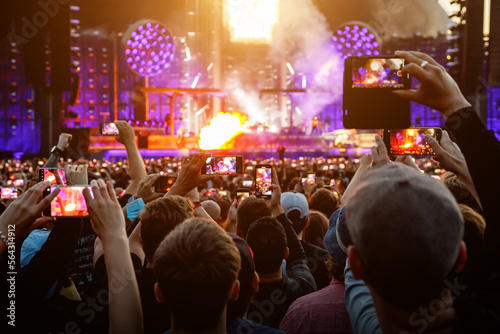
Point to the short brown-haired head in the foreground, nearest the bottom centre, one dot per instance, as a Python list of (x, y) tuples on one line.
[(196, 268)]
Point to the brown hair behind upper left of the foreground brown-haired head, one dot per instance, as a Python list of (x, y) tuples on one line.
[(159, 218)]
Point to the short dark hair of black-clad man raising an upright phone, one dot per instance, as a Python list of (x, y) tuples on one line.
[(267, 239)]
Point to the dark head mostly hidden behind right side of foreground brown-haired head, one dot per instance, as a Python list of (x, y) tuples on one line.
[(248, 278)]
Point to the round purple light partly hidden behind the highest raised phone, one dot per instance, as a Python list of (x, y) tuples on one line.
[(356, 39)]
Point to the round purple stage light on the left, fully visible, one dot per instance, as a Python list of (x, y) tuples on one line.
[(150, 56)]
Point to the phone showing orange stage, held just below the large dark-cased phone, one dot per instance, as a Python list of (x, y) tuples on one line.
[(410, 141)]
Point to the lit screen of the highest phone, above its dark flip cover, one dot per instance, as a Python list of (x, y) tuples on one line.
[(378, 73)]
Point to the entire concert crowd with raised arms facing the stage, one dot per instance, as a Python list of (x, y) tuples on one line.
[(372, 246)]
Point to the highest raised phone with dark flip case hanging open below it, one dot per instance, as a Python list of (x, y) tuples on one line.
[(369, 102)]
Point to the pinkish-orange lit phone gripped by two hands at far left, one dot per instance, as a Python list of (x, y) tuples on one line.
[(70, 202)]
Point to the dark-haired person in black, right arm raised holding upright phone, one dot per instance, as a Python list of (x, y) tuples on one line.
[(273, 239)]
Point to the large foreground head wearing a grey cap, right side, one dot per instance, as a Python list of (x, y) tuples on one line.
[(407, 233)]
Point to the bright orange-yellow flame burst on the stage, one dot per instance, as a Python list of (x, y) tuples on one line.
[(221, 130)]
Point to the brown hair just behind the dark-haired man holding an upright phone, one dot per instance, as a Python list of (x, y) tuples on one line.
[(249, 210)]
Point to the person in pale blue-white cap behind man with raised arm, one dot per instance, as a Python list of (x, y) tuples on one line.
[(297, 210)]
